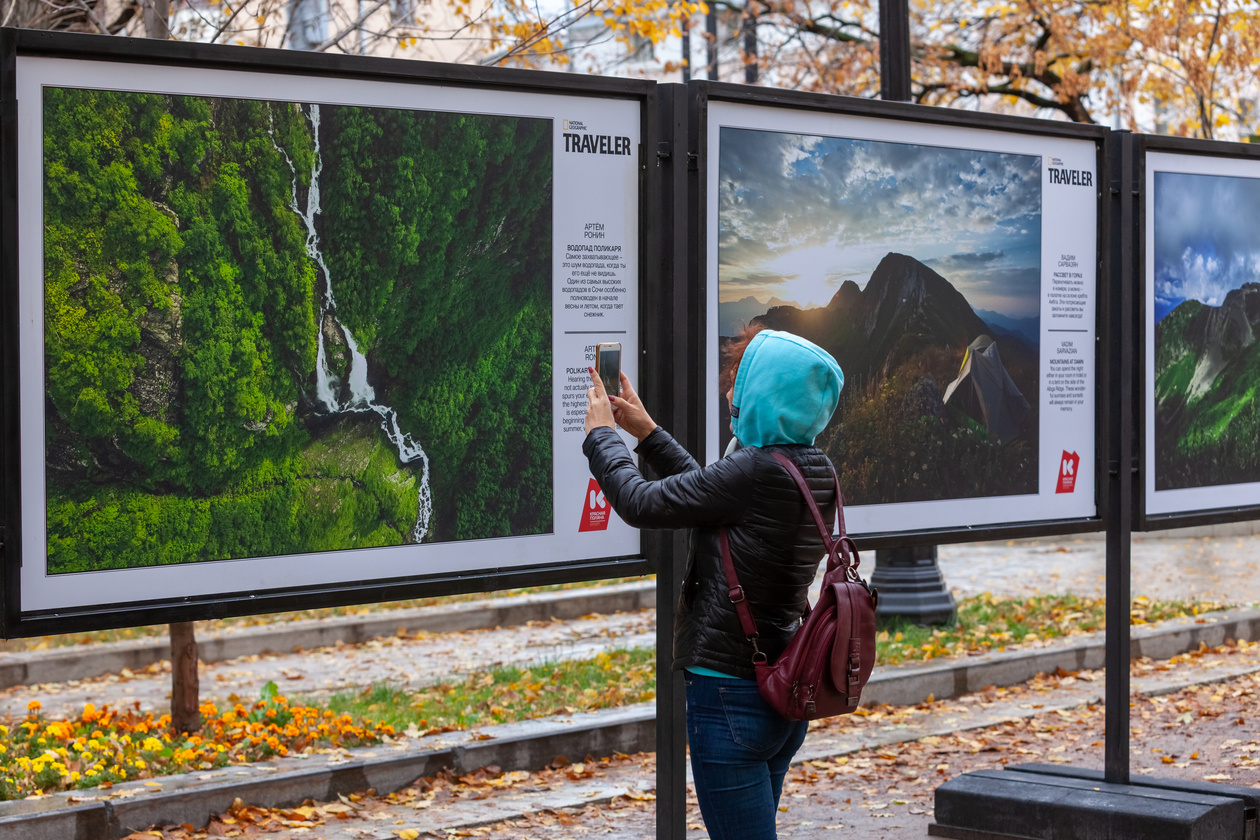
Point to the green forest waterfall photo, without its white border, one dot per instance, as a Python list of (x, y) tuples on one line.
[(278, 328)]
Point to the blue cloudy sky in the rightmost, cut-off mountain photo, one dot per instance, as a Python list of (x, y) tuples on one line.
[(1208, 241)]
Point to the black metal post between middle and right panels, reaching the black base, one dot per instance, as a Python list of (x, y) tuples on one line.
[(1121, 459)]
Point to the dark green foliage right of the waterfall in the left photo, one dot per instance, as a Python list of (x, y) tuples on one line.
[(454, 305)]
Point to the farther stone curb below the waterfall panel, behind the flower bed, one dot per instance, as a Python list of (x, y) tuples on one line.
[(62, 666)]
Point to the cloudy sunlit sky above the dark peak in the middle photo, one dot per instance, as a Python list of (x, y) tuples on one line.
[(801, 215)]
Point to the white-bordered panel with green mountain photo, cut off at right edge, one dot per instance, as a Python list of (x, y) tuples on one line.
[(1203, 310)]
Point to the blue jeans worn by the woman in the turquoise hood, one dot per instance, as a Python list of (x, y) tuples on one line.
[(740, 750)]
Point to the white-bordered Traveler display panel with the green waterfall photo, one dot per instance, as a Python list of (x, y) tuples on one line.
[(290, 332)]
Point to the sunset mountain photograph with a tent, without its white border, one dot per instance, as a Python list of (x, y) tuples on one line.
[(919, 269)]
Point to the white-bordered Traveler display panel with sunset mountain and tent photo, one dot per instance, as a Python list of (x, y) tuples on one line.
[(953, 275)]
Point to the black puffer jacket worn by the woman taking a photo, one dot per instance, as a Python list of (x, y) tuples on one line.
[(774, 543)]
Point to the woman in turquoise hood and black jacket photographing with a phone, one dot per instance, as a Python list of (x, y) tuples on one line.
[(783, 391)]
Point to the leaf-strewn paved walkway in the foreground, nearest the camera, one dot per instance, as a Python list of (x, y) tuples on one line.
[(869, 776)]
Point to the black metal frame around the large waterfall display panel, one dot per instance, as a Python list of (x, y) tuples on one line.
[(656, 383)]
